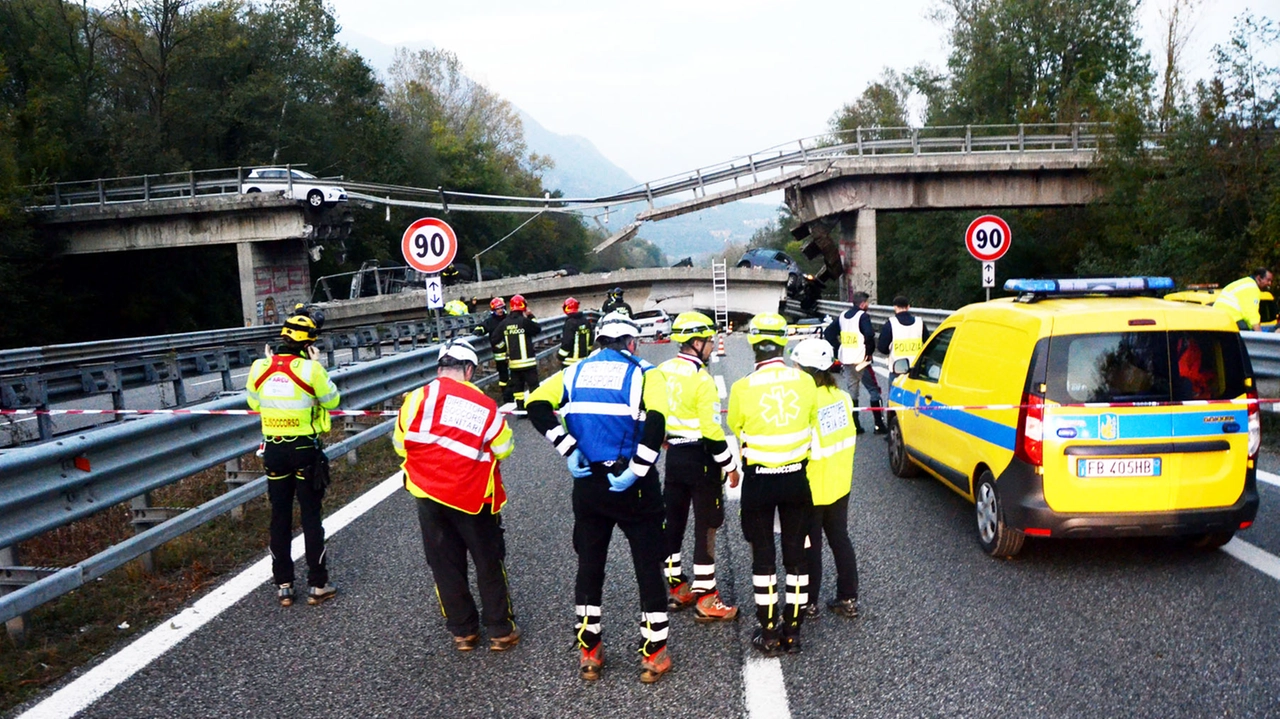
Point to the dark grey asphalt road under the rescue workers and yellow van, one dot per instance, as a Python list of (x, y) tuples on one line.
[(1068, 629)]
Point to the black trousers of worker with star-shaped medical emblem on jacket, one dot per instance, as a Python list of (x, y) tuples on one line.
[(788, 497)]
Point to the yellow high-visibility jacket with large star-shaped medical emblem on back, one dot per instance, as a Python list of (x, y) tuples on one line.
[(772, 413)]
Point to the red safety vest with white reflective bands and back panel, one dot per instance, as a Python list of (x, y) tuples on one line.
[(447, 447)]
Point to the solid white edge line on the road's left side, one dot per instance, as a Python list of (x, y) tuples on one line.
[(97, 683)]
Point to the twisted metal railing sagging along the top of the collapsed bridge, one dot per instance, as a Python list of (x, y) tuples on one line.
[(861, 143)]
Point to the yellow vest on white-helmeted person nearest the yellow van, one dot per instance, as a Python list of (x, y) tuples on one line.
[(831, 451)]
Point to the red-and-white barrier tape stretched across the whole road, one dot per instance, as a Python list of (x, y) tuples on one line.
[(1244, 402)]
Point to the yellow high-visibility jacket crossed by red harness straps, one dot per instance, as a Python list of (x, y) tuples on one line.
[(294, 396)]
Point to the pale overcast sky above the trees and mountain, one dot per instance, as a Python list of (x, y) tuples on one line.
[(666, 86)]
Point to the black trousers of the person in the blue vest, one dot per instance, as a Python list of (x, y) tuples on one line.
[(638, 512)]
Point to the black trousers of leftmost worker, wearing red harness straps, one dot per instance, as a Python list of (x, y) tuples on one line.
[(286, 460)]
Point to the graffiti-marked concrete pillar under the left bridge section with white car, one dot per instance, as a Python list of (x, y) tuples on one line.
[(275, 277)]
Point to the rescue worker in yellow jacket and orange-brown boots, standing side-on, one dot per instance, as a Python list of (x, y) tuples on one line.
[(698, 462)]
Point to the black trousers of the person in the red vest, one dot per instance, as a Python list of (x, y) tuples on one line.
[(449, 537)]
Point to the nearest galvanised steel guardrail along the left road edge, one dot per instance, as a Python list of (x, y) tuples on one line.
[(52, 486)]
